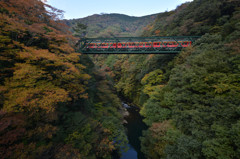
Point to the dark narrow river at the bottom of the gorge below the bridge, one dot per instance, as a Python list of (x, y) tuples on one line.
[(134, 127)]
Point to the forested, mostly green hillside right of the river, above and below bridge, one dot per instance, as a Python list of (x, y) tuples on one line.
[(190, 102)]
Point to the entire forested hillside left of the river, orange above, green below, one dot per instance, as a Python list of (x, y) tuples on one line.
[(54, 103)]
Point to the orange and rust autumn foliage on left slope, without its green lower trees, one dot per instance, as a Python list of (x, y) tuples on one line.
[(40, 76)]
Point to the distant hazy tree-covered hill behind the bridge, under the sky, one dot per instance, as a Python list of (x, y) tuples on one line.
[(110, 25)]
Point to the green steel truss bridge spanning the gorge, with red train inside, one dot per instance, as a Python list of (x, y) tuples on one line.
[(135, 45)]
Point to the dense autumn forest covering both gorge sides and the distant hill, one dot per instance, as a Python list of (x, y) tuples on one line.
[(57, 103)]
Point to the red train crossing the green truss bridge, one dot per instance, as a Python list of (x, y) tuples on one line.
[(139, 45)]
